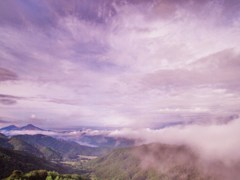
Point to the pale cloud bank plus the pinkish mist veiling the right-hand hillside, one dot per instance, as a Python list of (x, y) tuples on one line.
[(210, 150)]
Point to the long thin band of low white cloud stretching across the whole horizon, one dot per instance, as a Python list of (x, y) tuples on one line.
[(210, 141)]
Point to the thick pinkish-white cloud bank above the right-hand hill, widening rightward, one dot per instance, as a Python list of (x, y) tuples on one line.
[(209, 141)]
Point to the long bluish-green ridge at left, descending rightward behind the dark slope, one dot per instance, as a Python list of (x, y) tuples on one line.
[(48, 147)]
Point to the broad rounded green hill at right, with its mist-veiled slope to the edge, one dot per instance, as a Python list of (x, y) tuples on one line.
[(160, 161)]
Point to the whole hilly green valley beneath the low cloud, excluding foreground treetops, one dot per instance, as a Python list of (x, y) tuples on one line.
[(154, 161)]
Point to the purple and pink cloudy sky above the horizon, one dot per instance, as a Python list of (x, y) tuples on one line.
[(112, 63)]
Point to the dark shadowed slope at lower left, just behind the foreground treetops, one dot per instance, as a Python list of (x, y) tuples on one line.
[(16, 160)]
